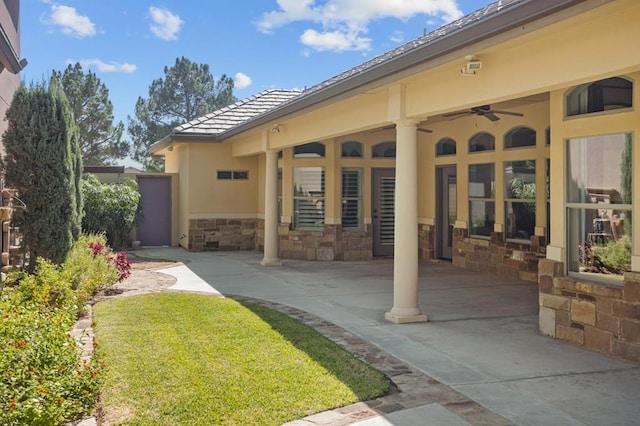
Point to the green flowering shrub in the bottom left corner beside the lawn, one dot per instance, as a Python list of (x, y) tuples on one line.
[(42, 380)]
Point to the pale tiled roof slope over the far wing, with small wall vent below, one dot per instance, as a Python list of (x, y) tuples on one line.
[(231, 115)]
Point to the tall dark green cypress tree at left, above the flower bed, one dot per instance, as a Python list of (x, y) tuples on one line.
[(43, 163)]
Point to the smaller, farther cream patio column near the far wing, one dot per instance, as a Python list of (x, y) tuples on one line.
[(271, 211)]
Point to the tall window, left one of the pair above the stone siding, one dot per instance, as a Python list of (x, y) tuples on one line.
[(482, 206)]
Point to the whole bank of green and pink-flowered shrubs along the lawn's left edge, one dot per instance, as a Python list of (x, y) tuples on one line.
[(42, 378)]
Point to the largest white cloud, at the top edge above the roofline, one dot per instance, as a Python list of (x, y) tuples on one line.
[(343, 23)]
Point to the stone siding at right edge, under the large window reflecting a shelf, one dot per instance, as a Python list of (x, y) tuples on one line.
[(601, 317)]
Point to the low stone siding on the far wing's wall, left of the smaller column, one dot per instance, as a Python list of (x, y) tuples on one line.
[(222, 234)]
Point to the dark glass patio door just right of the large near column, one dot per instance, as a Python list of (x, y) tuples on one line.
[(446, 210)]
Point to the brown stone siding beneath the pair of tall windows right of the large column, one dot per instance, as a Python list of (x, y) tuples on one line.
[(497, 256)]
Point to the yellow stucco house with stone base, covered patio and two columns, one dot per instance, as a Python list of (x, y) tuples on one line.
[(505, 142)]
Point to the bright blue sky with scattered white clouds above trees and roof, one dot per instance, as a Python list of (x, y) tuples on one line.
[(262, 44)]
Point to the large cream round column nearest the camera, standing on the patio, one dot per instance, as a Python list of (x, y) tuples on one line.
[(405, 259)]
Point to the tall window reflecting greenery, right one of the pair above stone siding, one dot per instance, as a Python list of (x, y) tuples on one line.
[(520, 199)]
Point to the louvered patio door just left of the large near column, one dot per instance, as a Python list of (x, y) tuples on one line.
[(383, 215)]
